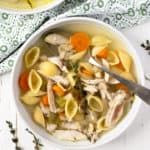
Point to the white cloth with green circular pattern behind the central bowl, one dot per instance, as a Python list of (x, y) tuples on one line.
[(15, 29)]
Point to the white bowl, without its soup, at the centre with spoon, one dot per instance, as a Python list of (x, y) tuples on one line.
[(87, 25)]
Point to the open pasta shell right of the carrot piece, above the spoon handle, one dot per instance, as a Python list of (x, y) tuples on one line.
[(112, 58)]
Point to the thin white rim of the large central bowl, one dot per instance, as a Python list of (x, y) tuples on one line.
[(140, 72)]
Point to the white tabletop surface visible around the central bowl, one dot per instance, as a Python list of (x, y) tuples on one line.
[(136, 137)]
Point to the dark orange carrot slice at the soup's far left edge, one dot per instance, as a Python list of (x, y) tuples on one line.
[(23, 81)]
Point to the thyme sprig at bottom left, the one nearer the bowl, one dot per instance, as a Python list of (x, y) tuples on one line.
[(36, 140)]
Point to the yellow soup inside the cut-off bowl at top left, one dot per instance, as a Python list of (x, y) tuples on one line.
[(24, 4)]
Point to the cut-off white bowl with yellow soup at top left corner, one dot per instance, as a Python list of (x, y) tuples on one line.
[(28, 6)]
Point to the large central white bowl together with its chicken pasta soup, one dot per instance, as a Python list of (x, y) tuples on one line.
[(64, 98)]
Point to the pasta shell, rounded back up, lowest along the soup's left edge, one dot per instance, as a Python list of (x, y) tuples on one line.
[(38, 116)]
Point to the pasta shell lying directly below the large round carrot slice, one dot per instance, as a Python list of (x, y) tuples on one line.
[(77, 56)]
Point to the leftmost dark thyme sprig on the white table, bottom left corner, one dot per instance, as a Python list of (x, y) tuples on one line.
[(13, 131)]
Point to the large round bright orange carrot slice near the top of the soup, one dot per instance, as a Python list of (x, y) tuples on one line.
[(80, 41)]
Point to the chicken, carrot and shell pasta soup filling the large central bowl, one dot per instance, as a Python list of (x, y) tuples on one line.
[(70, 98)]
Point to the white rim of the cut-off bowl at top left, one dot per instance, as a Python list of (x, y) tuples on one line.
[(31, 11)]
